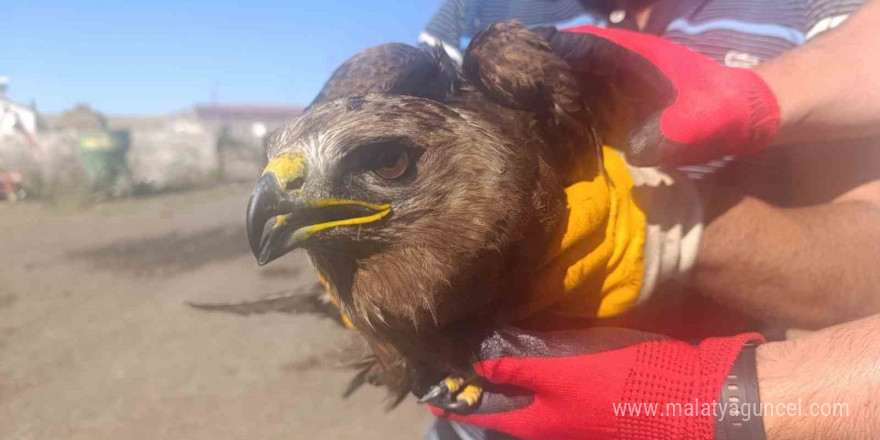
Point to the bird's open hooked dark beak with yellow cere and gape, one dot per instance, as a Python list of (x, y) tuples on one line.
[(279, 197)]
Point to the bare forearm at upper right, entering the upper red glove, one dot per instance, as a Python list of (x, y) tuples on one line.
[(829, 88)]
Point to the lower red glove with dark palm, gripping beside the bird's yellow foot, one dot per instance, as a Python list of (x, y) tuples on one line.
[(565, 385)]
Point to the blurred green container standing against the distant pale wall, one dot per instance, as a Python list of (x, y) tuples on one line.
[(103, 156)]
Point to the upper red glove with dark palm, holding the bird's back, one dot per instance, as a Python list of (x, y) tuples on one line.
[(679, 106)]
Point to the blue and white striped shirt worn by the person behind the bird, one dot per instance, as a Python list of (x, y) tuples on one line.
[(738, 33)]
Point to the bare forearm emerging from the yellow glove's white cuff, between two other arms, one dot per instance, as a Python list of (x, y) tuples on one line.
[(807, 267)]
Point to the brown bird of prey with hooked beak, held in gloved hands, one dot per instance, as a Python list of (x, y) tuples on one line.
[(428, 196)]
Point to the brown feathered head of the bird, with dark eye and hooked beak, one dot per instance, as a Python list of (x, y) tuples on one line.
[(400, 202)]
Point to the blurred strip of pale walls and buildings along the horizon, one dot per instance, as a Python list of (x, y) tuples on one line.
[(83, 151)]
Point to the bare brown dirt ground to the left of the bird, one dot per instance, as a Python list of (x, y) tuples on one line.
[(97, 343)]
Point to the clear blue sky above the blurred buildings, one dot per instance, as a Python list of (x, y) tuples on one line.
[(162, 56)]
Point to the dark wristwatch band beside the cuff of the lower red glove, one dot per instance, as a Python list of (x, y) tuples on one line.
[(740, 415)]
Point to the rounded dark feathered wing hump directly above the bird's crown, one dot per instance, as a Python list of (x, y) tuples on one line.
[(393, 68)]
